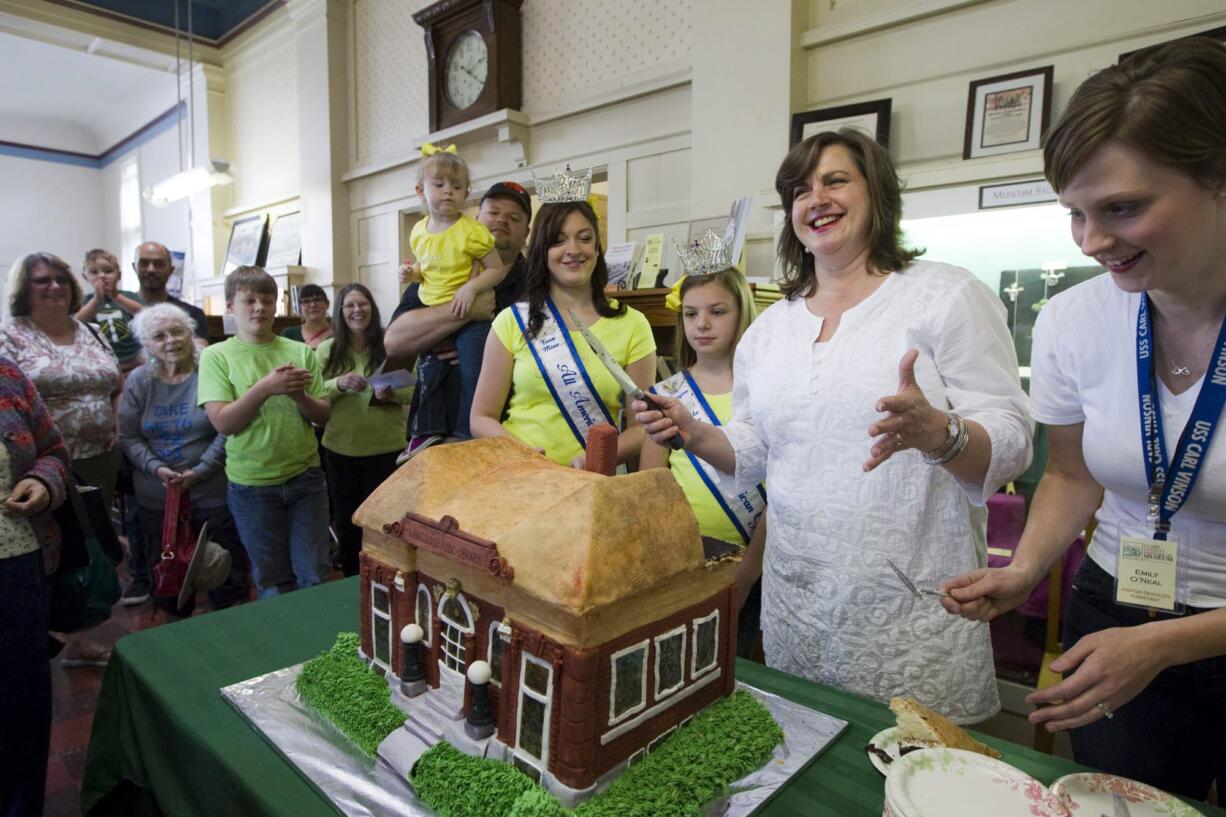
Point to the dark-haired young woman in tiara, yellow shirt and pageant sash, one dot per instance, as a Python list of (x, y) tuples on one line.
[(538, 365)]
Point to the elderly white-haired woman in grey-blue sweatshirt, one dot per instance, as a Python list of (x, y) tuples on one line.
[(169, 440)]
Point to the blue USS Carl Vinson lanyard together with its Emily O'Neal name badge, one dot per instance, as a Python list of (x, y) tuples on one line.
[(1151, 572)]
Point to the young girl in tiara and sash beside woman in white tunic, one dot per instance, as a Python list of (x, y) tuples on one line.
[(714, 312)]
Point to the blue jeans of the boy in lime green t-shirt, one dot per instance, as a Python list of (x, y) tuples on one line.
[(285, 531)]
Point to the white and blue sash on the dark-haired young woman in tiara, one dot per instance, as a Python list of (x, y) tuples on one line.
[(563, 371)]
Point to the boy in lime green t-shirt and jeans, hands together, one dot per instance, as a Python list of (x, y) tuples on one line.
[(263, 392)]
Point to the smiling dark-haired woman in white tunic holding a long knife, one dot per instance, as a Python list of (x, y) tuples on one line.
[(881, 404)]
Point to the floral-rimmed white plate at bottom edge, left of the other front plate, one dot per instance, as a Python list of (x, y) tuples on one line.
[(954, 783)]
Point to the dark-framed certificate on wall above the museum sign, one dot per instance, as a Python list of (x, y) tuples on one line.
[(1008, 113)]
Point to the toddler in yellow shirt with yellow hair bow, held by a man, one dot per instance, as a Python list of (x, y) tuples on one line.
[(448, 247)]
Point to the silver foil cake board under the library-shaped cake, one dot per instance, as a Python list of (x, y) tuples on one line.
[(364, 787)]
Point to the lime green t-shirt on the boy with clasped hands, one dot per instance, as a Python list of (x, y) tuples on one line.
[(279, 445)]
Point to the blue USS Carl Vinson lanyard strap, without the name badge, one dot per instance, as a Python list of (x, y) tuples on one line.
[(1170, 490)]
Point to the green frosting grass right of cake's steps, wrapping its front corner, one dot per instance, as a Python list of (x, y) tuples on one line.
[(726, 742)]
